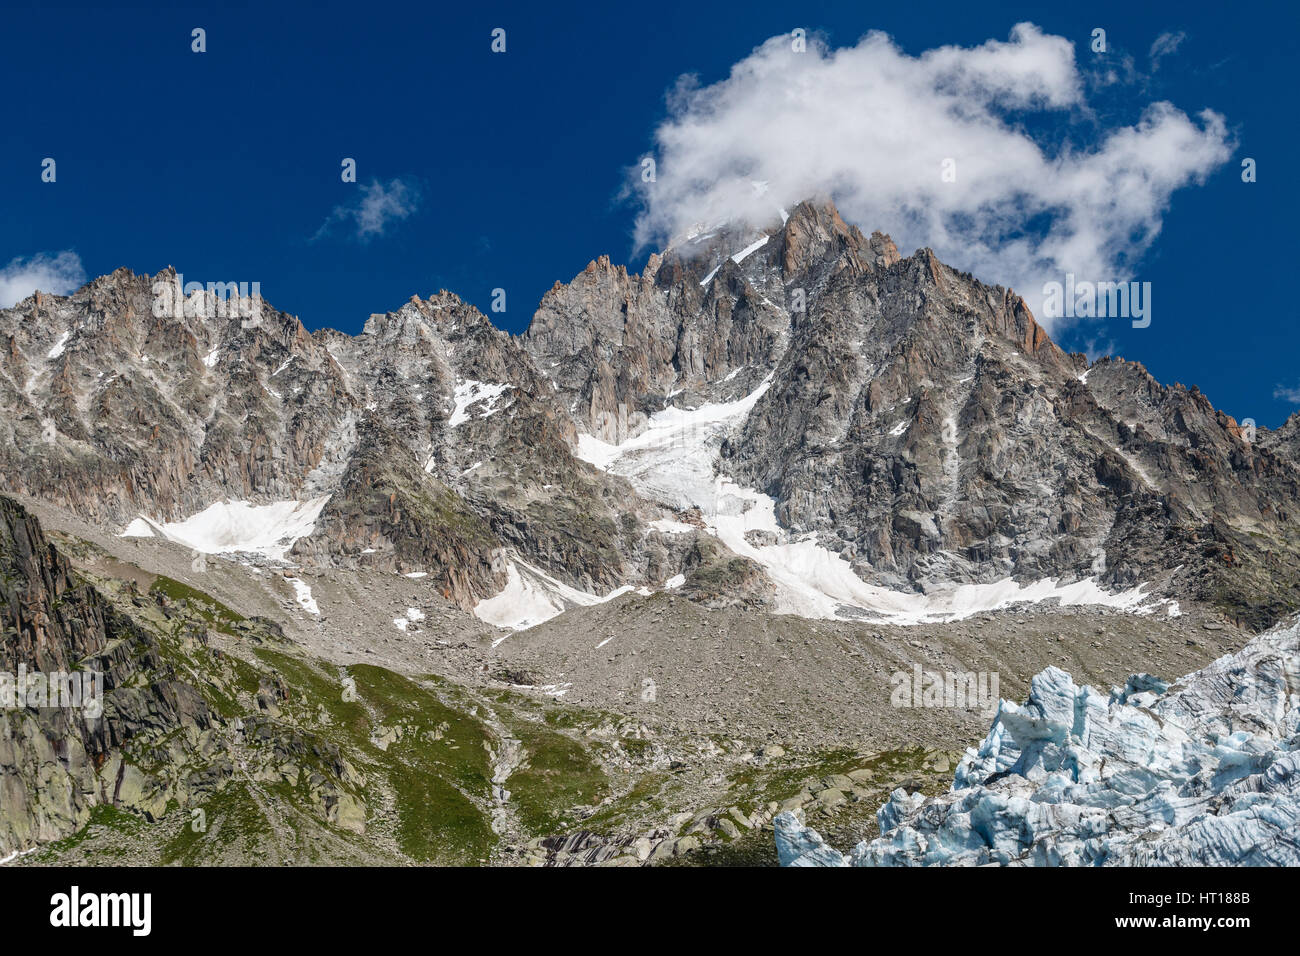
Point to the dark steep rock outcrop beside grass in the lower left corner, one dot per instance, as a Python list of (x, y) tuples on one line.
[(59, 762)]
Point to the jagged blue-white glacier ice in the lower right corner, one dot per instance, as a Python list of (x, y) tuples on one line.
[(1204, 773)]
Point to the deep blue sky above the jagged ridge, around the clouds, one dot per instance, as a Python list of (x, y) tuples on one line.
[(510, 168)]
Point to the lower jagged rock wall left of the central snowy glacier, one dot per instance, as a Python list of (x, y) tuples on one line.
[(436, 435)]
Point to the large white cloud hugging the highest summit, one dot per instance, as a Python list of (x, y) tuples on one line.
[(872, 127)]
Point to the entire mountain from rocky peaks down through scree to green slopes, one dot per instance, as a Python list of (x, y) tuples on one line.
[(619, 590)]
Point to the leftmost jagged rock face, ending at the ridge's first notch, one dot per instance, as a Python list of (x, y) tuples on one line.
[(114, 410)]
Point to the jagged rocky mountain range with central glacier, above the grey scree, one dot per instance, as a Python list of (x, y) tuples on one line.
[(911, 429)]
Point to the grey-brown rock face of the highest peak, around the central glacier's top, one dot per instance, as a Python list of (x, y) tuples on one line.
[(922, 423)]
